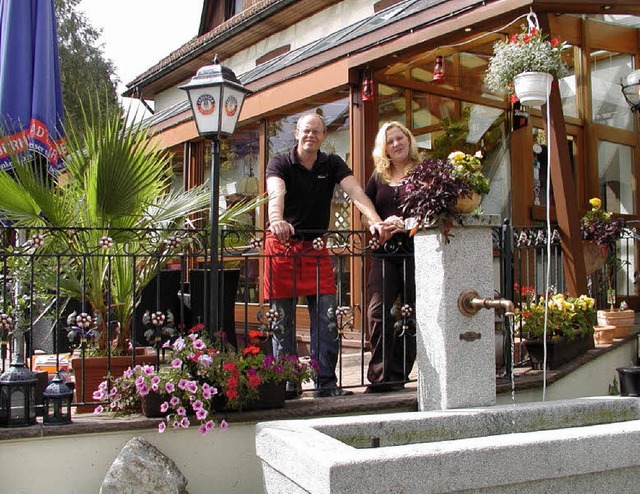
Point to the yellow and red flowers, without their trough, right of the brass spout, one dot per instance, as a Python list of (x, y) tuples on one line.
[(568, 317)]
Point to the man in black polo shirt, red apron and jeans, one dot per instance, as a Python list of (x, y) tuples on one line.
[(300, 186)]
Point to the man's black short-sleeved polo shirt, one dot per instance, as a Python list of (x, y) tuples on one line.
[(307, 202)]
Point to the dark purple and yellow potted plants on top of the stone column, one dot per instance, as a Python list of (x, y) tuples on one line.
[(438, 191)]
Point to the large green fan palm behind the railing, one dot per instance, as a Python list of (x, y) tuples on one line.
[(117, 185)]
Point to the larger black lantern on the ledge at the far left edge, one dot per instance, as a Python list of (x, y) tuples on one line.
[(17, 395)]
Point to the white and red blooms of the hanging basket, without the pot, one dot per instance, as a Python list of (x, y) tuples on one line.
[(528, 51)]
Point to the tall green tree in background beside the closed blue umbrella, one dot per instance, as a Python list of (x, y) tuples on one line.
[(84, 71)]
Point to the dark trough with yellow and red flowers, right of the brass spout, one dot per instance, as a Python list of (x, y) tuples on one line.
[(569, 327)]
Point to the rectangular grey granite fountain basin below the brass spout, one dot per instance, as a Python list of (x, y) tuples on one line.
[(580, 445)]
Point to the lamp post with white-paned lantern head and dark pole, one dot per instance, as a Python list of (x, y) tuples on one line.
[(216, 96)]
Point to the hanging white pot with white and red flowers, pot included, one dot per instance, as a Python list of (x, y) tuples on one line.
[(526, 64)]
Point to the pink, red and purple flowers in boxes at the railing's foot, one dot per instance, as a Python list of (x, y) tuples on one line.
[(202, 379)]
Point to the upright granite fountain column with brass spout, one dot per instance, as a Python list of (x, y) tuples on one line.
[(456, 352)]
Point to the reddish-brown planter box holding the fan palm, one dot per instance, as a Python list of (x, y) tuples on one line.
[(89, 376)]
